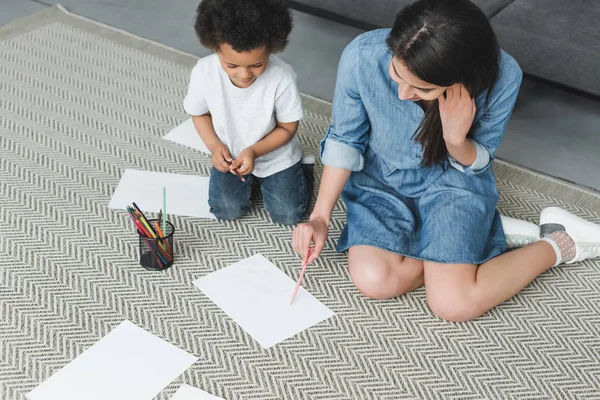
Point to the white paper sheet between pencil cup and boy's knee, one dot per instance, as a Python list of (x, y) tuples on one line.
[(186, 194)]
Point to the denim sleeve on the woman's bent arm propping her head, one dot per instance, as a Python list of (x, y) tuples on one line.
[(488, 131)]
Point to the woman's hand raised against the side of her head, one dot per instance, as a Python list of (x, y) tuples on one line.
[(457, 112)]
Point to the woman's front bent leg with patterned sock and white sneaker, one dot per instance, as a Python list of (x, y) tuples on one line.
[(463, 292)]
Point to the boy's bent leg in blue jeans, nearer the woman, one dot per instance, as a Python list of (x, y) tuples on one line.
[(286, 195)]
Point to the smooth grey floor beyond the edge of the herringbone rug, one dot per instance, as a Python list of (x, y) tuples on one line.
[(552, 130)]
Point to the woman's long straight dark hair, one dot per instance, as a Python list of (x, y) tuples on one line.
[(444, 42)]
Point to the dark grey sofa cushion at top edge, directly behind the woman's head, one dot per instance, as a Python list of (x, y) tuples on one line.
[(382, 13)]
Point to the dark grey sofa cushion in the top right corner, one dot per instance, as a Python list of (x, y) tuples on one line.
[(554, 39)]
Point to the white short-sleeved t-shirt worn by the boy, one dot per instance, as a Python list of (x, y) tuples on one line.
[(243, 116)]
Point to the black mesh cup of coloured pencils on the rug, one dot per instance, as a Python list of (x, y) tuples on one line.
[(156, 254)]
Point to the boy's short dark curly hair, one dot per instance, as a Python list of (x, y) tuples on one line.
[(244, 24)]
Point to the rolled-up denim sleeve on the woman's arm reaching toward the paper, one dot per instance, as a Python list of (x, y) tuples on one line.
[(347, 138)]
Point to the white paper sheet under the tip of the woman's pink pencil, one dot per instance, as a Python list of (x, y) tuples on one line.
[(257, 295)]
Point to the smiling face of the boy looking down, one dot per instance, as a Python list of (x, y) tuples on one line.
[(243, 68)]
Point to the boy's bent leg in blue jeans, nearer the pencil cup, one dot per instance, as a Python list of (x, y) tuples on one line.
[(228, 196)]
